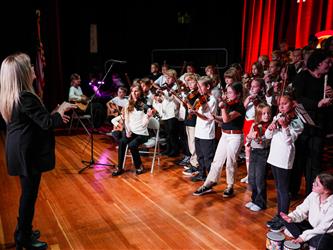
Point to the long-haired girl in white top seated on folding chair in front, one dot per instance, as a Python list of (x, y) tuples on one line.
[(136, 131)]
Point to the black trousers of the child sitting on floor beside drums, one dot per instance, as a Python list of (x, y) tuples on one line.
[(320, 242)]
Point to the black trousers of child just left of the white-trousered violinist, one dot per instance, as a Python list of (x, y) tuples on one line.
[(205, 150)]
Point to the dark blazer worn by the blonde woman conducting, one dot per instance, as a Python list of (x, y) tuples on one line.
[(30, 142)]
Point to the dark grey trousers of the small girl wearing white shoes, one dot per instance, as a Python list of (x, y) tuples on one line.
[(257, 175)]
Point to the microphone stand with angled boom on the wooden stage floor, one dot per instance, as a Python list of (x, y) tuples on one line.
[(91, 162)]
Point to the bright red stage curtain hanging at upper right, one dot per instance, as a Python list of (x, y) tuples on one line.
[(266, 22)]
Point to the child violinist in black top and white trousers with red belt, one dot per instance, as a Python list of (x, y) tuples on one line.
[(232, 119)]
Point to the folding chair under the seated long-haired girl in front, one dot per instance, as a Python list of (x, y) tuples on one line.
[(153, 125)]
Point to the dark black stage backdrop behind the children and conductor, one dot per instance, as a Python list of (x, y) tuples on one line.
[(126, 30)]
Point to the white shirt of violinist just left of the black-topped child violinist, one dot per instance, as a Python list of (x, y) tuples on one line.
[(205, 129)]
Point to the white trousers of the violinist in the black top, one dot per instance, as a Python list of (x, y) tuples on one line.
[(227, 151)]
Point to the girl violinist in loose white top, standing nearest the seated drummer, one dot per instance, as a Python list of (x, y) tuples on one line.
[(283, 131)]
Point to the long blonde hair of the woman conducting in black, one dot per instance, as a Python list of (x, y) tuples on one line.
[(16, 75)]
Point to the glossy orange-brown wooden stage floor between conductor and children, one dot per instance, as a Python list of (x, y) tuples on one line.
[(94, 210)]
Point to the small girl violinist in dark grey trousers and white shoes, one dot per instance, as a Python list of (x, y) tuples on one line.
[(259, 145)]
